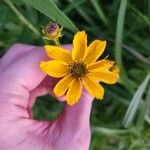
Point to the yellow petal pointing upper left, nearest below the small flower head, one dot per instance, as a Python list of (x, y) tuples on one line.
[(58, 53)]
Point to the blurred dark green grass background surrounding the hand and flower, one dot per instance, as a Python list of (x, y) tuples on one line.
[(128, 42)]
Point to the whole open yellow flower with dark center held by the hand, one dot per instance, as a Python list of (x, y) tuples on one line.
[(79, 67)]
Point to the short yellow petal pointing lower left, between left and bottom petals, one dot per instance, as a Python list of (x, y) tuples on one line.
[(62, 86)]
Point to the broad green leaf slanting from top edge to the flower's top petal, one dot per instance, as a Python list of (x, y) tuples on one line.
[(49, 8)]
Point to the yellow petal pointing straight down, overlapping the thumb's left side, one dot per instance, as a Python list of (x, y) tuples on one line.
[(74, 92)]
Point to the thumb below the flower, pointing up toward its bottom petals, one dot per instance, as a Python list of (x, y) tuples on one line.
[(74, 124)]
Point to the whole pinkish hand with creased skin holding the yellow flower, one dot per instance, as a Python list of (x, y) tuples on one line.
[(21, 82)]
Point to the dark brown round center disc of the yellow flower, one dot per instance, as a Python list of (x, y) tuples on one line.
[(77, 70)]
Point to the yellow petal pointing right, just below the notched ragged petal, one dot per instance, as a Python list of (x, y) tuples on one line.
[(107, 77)]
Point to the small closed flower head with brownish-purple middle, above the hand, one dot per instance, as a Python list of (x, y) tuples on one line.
[(52, 31)]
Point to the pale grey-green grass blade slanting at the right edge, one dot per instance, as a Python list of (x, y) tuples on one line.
[(134, 105)]
